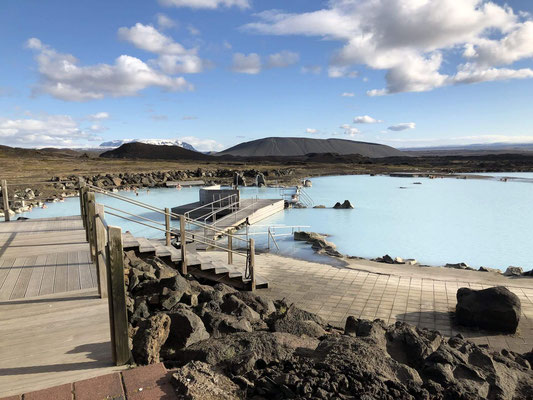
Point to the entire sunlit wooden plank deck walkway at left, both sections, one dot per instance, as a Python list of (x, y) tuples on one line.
[(54, 328)]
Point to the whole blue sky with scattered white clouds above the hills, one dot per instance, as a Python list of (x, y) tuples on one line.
[(214, 73)]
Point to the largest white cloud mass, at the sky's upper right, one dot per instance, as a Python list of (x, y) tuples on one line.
[(412, 39)]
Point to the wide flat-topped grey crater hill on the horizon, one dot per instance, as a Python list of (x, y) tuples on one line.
[(290, 147)]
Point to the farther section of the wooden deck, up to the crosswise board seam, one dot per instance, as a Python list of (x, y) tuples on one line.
[(44, 256)]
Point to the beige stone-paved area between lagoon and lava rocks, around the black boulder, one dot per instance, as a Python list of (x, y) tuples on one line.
[(425, 297)]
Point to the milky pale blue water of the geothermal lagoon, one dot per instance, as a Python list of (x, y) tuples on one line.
[(480, 222)]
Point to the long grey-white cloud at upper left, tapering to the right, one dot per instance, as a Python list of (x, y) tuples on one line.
[(62, 77)]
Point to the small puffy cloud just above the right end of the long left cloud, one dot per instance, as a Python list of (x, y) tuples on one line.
[(173, 58)]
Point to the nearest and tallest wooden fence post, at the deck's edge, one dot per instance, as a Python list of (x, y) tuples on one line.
[(117, 298)]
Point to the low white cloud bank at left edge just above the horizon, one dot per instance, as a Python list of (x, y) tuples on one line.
[(46, 130)]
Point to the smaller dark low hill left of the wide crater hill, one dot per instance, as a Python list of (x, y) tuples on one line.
[(136, 150)]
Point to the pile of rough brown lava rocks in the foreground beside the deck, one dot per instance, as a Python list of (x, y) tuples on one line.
[(224, 344)]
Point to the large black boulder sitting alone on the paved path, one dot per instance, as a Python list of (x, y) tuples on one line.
[(495, 309)]
